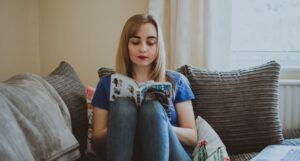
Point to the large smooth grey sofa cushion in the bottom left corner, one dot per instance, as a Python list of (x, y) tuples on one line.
[(34, 121)]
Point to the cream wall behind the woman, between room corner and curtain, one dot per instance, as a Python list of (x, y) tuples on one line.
[(83, 33)]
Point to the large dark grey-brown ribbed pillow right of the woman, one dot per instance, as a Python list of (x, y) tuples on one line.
[(241, 105)]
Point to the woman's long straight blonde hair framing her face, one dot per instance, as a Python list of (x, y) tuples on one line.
[(131, 27)]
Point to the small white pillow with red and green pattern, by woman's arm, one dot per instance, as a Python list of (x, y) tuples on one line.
[(209, 145)]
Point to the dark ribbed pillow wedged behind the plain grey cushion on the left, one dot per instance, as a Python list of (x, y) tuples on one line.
[(66, 82)]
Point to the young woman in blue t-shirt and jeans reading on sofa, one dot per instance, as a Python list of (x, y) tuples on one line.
[(121, 124)]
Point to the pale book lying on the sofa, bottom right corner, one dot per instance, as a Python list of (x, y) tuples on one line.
[(278, 153)]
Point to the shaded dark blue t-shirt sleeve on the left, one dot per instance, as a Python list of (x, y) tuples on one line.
[(101, 96)]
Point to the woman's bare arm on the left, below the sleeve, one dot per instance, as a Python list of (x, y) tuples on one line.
[(100, 117)]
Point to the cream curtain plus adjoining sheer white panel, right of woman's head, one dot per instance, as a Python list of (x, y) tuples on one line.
[(191, 33)]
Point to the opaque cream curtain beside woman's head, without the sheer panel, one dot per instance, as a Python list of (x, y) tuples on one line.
[(182, 22)]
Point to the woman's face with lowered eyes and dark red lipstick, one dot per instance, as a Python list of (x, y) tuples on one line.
[(143, 46)]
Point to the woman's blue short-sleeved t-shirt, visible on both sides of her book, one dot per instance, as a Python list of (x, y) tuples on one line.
[(182, 92)]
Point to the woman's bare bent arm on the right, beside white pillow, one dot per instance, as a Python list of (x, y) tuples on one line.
[(186, 130)]
